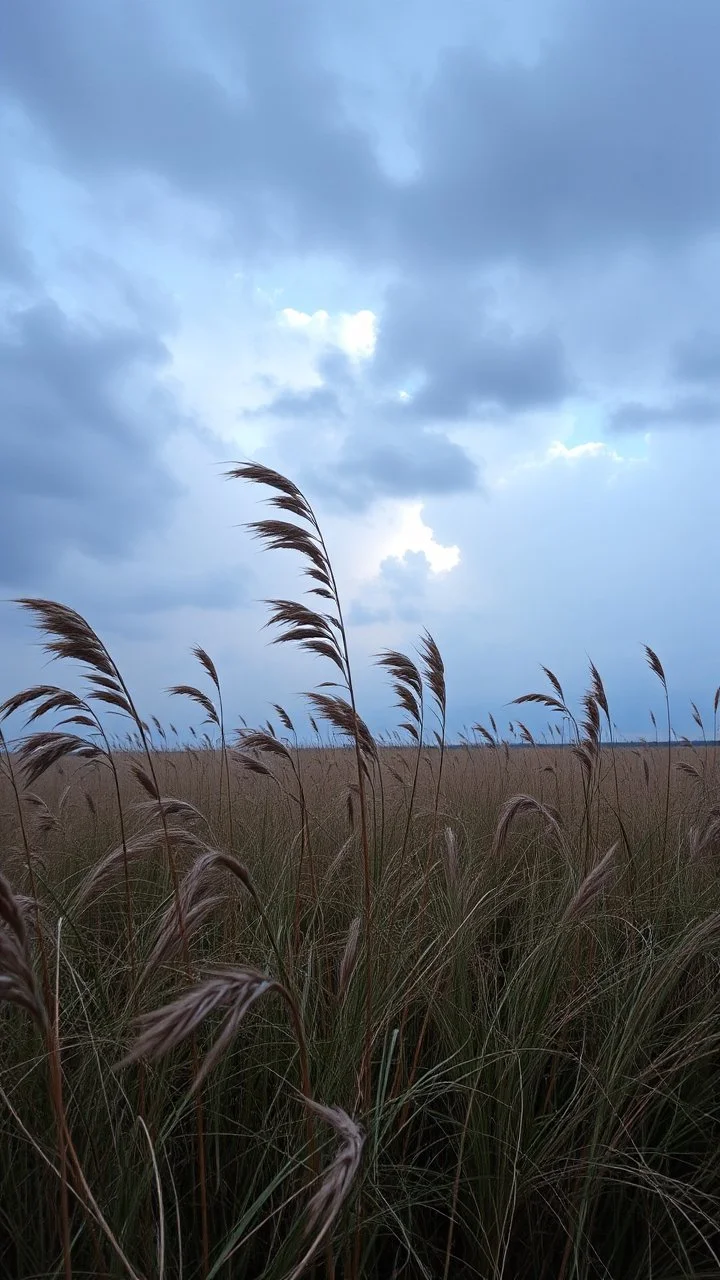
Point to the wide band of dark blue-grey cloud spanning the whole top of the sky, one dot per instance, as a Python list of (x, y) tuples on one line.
[(608, 138)]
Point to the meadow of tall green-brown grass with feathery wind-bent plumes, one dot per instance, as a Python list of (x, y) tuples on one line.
[(345, 1008)]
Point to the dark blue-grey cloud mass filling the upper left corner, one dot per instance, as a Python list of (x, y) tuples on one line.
[(127, 88)]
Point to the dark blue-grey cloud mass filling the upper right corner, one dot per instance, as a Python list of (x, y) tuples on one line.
[(607, 140)]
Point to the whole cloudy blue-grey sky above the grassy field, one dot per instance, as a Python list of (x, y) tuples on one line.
[(452, 268)]
